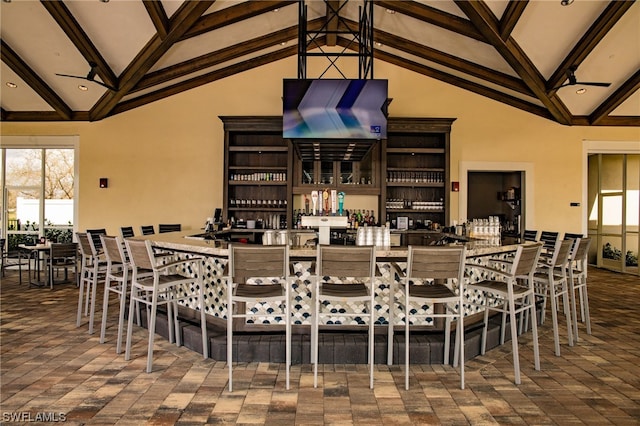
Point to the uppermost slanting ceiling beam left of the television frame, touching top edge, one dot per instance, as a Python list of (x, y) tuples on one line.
[(232, 14)]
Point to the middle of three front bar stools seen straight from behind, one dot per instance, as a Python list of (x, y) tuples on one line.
[(357, 262)]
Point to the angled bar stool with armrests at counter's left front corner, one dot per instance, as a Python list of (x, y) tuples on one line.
[(162, 289)]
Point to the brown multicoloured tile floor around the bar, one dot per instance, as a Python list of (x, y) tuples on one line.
[(52, 370)]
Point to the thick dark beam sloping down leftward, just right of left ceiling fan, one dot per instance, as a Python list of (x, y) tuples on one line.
[(180, 23)]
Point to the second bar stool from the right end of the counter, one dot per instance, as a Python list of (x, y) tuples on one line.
[(550, 281)]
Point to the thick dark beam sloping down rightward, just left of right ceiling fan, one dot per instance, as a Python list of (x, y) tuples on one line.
[(485, 21)]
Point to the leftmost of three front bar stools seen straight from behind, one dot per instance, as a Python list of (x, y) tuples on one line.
[(258, 274)]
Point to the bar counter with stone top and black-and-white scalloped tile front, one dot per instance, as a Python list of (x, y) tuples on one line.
[(390, 263)]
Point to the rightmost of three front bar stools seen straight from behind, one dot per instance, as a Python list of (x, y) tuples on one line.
[(435, 276)]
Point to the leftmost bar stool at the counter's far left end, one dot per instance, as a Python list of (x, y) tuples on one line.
[(93, 269)]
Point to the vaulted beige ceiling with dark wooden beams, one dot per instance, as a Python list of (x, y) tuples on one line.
[(515, 52)]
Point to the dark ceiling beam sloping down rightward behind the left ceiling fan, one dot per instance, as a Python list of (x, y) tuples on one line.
[(80, 40)]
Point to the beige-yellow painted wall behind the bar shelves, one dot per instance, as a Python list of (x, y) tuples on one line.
[(164, 160)]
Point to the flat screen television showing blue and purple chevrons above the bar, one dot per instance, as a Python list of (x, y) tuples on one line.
[(334, 109)]
